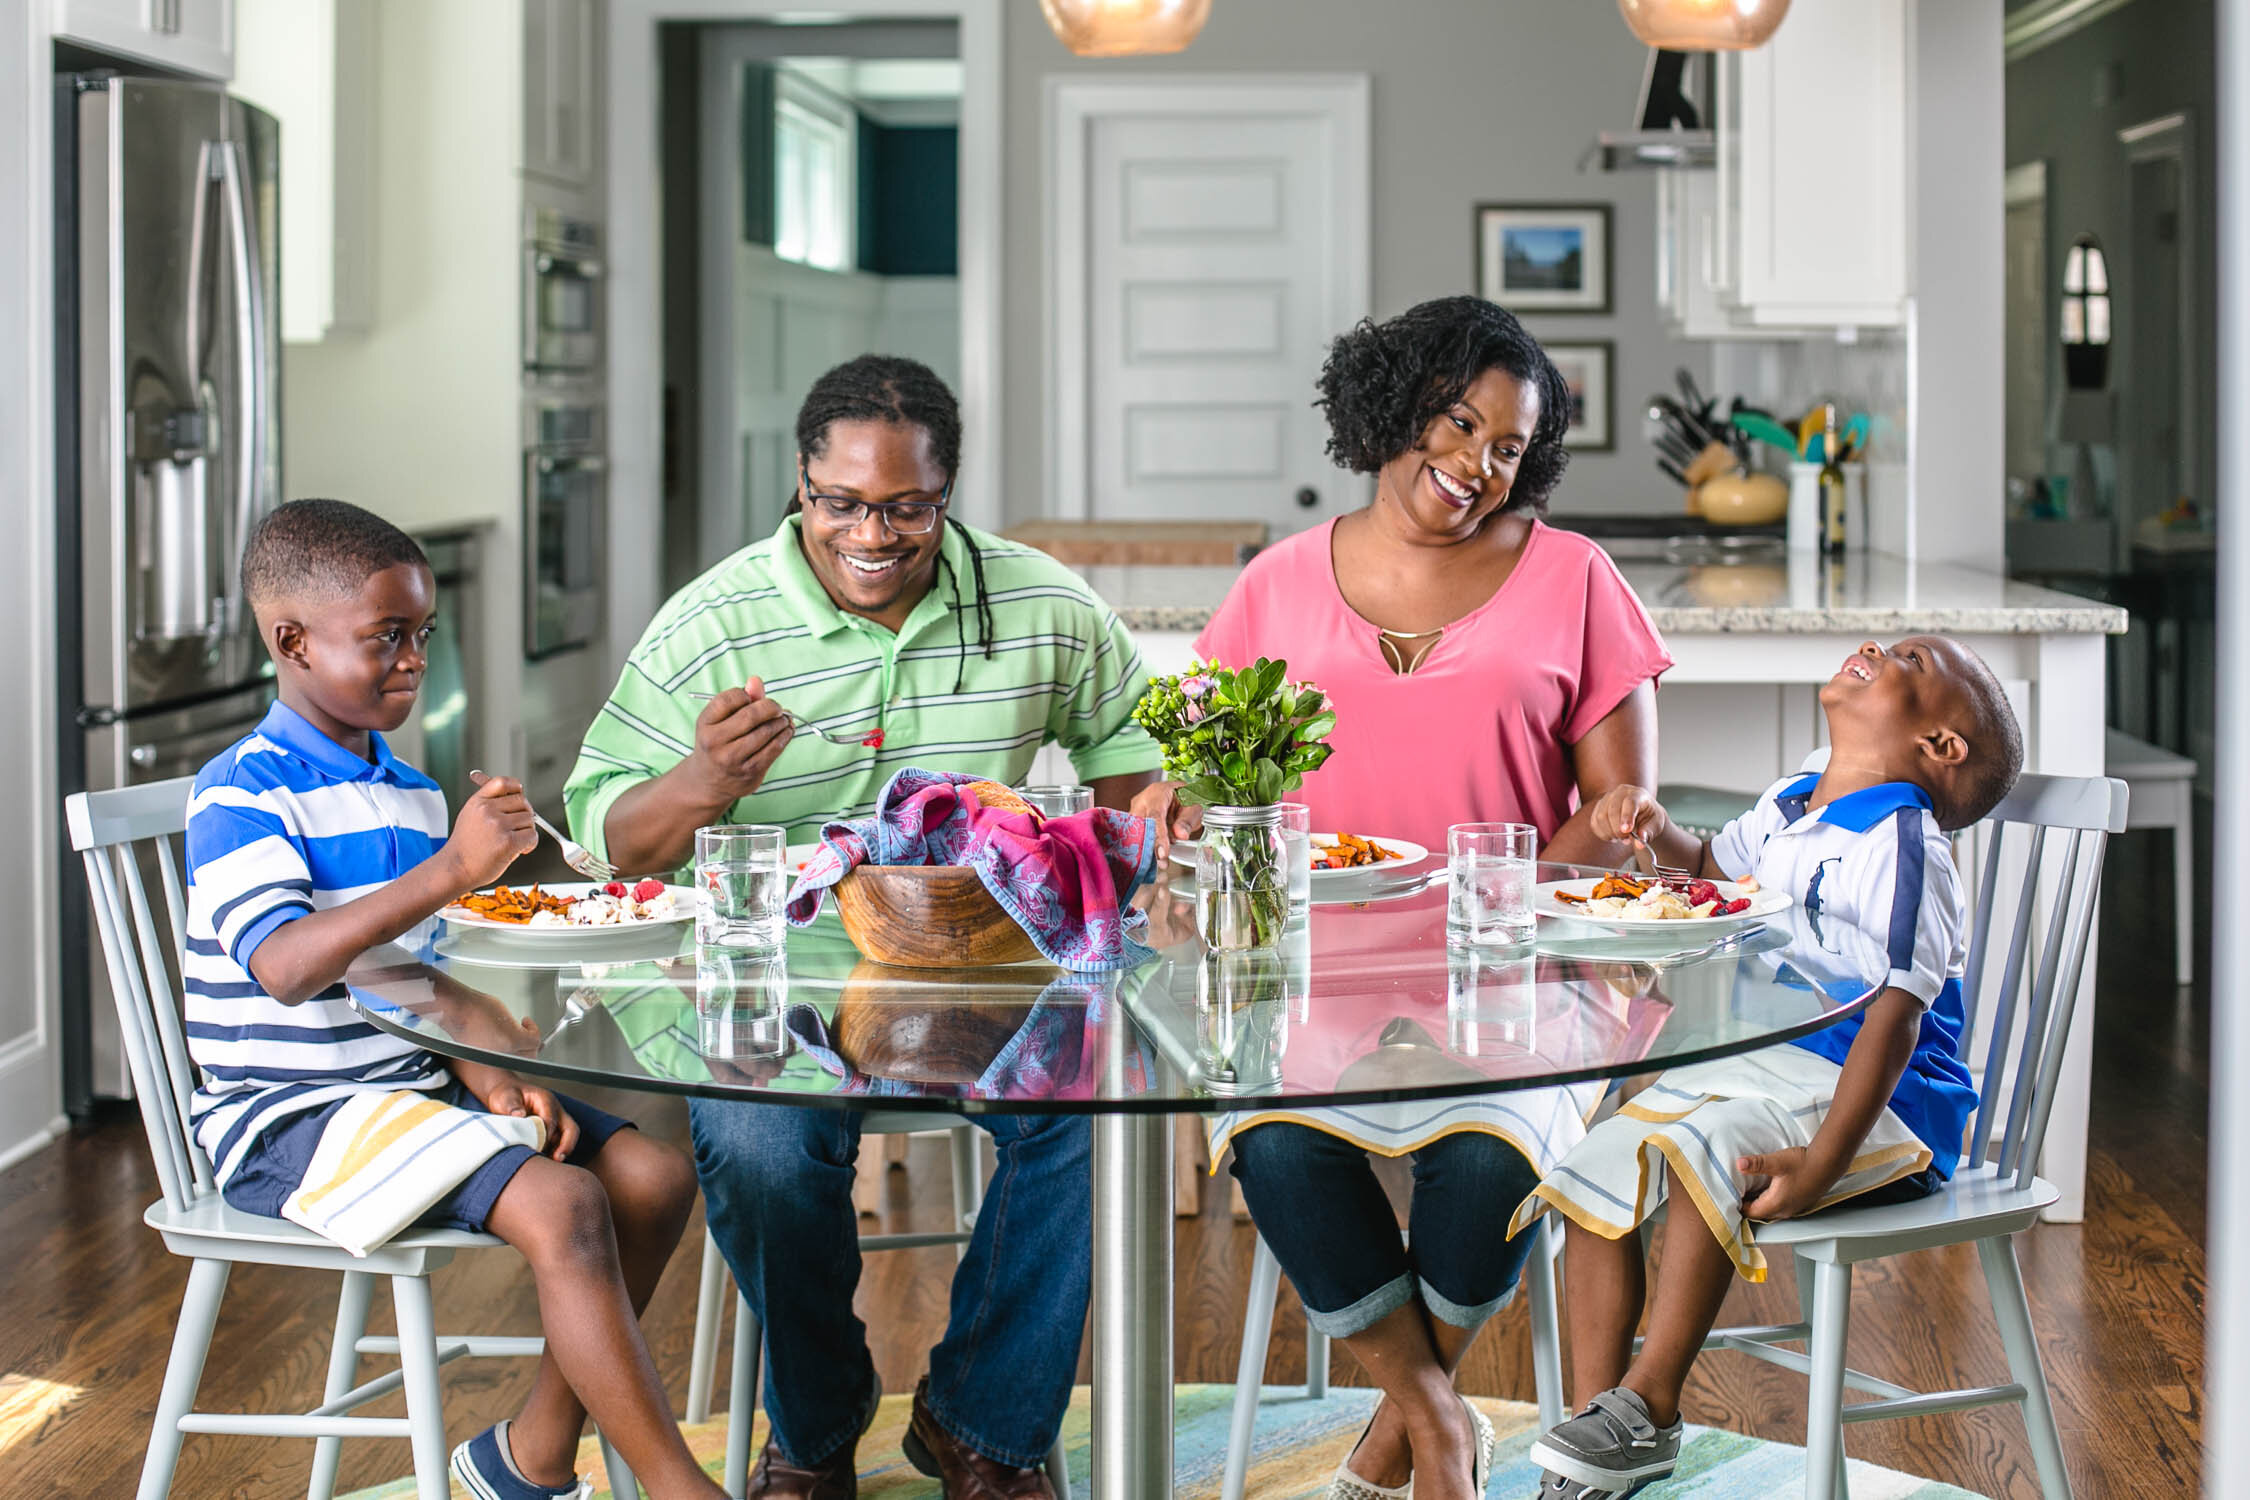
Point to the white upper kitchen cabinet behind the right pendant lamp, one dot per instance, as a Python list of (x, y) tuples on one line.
[(1810, 213)]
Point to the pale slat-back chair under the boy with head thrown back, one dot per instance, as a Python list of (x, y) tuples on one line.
[(1995, 1193)]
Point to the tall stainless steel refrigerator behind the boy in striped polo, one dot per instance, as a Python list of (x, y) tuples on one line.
[(168, 453)]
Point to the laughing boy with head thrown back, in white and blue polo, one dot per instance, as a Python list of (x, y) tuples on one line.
[(1871, 1110)]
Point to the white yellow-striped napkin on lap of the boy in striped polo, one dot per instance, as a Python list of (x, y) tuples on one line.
[(384, 1159)]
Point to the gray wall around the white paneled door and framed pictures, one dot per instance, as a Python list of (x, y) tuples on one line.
[(1475, 102)]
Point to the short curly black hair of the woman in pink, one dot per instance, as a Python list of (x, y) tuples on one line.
[(1385, 383)]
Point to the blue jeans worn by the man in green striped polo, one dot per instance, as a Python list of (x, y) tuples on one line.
[(777, 1191)]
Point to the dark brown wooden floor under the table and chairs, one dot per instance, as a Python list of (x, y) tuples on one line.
[(2118, 1303)]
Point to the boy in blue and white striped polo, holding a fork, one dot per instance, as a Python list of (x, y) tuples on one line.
[(309, 844)]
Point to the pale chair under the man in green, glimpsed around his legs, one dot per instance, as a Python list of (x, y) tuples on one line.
[(748, 1339)]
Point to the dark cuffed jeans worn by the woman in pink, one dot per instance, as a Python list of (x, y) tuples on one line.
[(1331, 1227)]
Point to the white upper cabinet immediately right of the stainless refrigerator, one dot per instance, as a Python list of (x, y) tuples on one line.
[(312, 64)]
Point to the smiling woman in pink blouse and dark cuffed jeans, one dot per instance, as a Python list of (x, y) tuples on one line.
[(1484, 669)]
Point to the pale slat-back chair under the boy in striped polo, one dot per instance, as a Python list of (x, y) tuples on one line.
[(114, 831)]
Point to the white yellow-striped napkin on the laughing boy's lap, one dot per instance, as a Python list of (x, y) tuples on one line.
[(1693, 1126)]
